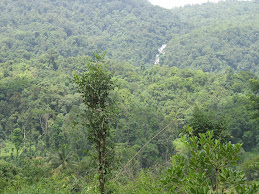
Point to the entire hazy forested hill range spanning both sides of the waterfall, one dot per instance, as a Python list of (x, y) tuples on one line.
[(132, 31)]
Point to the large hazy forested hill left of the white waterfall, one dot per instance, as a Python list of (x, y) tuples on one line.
[(129, 30)]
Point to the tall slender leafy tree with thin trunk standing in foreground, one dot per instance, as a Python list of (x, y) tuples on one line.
[(95, 86)]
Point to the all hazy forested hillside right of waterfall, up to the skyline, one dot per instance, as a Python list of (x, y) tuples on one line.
[(224, 35)]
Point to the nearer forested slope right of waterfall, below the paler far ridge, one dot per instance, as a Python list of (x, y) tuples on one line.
[(215, 48)]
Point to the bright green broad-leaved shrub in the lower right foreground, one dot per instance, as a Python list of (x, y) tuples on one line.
[(207, 169)]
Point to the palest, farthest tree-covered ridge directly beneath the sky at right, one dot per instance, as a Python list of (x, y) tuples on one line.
[(210, 13)]
